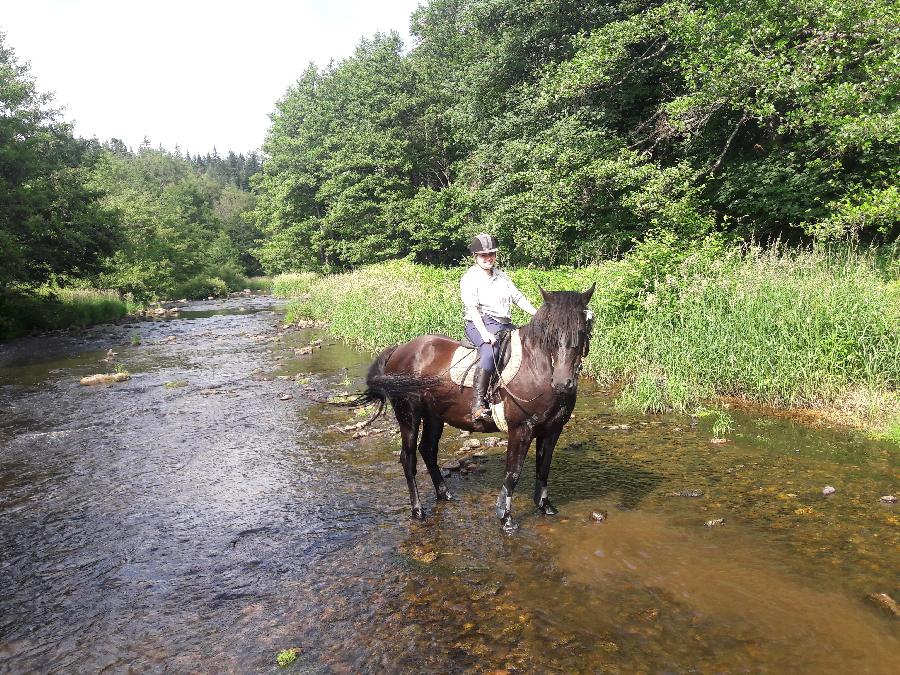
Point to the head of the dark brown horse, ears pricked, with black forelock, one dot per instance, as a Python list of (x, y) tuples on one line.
[(563, 328)]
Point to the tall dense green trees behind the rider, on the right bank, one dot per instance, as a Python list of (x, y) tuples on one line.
[(573, 128)]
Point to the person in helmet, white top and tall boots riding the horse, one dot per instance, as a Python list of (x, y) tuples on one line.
[(487, 294)]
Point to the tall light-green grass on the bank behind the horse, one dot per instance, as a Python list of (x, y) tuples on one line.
[(677, 324)]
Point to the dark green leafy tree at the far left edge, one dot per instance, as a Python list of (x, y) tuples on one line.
[(51, 222)]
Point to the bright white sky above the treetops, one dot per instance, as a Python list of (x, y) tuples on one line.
[(196, 73)]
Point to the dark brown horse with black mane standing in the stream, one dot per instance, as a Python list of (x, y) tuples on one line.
[(414, 377)]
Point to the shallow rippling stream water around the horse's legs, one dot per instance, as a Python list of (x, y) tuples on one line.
[(207, 524)]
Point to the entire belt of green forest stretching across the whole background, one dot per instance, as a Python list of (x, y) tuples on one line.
[(573, 129)]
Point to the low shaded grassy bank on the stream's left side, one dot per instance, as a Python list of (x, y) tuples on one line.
[(50, 309)]
